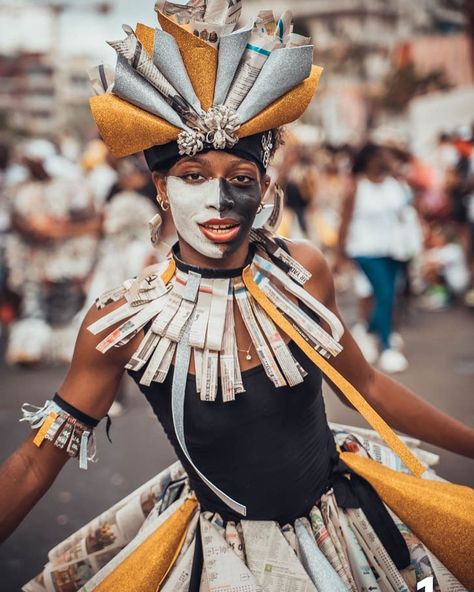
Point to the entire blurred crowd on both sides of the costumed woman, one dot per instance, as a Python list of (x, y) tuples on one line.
[(74, 222)]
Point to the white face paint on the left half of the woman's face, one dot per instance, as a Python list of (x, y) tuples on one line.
[(192, 205)]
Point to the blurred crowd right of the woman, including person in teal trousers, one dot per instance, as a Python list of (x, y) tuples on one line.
[(398, 231)]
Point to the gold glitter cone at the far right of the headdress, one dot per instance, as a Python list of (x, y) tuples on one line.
[(285, 109)]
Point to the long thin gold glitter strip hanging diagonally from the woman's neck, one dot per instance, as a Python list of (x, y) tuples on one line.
[(349, 391)]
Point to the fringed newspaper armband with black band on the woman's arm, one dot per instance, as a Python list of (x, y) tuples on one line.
[(61, 423)]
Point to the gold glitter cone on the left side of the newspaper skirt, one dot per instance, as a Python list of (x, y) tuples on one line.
[(145, 568)]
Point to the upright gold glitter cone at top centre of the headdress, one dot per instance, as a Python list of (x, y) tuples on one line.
[(199, 58)]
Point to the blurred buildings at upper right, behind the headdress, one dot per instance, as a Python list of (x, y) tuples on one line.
[(359, 44)]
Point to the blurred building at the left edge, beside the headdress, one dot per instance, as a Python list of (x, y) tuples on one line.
[(38, 96)]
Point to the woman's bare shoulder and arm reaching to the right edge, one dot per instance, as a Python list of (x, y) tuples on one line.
[(401, 408)]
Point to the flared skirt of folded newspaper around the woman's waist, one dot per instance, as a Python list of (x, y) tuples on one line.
[(150, 540)]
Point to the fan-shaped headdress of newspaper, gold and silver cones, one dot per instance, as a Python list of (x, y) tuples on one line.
[(192, 84)]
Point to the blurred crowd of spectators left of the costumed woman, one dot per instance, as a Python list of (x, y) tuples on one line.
[(73, 223)]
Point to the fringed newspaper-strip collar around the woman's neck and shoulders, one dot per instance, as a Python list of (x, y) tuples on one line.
[(166, 308)]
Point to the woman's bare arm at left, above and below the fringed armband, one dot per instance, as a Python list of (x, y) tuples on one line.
[(90, 386)]
